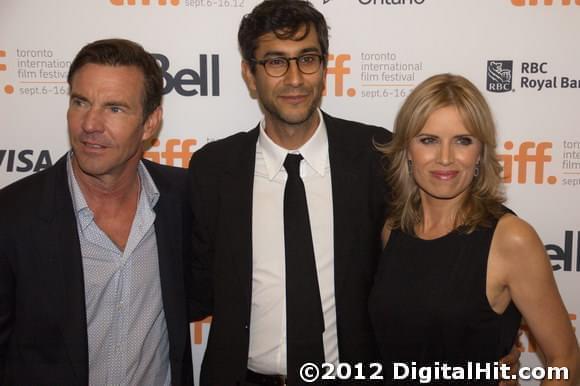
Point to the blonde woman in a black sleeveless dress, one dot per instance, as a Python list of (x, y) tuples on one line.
[(459, 269)]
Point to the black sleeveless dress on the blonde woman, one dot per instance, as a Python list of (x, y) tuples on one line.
[(428, 306)]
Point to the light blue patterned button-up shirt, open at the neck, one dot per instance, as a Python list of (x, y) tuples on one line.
[(127, 332)]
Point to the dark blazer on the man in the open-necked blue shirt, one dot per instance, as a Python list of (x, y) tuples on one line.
[(43, 327)]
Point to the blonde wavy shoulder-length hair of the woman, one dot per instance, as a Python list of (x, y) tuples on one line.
[(483, 203)]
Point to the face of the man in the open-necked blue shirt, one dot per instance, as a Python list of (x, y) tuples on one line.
[(105, 120)]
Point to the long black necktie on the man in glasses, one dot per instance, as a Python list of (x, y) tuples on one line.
[(304, 318)]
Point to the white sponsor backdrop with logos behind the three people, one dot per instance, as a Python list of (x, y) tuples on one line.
[(522, 54)]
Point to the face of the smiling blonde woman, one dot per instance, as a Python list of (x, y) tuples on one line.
[(444, 155)]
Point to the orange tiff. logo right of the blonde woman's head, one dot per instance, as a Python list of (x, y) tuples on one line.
[(528, 153)]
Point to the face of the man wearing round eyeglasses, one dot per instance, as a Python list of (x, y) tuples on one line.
[(292, 99)]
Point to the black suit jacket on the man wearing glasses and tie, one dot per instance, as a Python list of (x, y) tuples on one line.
[(221, 182)]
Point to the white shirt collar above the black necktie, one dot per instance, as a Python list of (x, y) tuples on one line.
[(314, 151)]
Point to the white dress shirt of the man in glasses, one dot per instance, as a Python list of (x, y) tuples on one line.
[(267, 352)]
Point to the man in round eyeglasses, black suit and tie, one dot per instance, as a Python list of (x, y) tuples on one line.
[(274, 308)]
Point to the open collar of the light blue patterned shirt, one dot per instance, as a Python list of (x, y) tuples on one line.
[(81, 208)]
